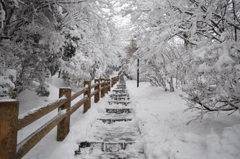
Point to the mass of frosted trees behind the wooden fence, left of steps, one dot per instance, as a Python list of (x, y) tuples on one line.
[(38, 40)]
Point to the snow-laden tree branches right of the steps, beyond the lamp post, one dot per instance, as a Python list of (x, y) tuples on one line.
[(208, 62)]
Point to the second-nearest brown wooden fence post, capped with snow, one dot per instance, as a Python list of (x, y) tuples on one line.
[(64, 126)]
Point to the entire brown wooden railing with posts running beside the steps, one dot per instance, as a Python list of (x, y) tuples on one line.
[(10, 124)]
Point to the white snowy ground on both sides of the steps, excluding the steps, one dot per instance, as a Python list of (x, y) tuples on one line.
[(162, 121)]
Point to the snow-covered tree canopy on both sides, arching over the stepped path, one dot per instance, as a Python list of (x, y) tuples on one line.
[(193, 44)]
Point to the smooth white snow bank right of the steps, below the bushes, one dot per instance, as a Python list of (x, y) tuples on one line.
[(167, 135)]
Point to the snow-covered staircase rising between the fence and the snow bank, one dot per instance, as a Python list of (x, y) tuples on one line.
[(115, 135)]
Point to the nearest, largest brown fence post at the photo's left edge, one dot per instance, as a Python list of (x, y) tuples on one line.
[(8, 129)]
